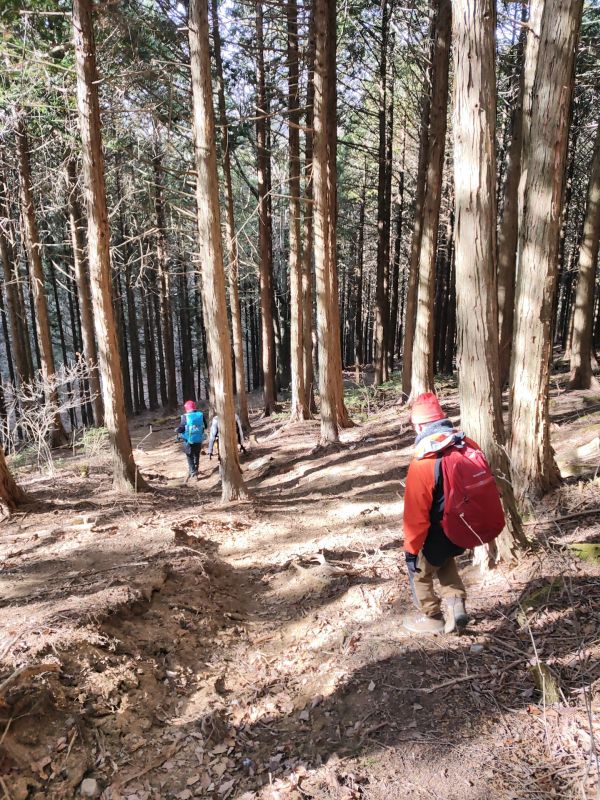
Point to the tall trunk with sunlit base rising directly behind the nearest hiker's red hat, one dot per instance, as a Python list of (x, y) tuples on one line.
[(422, 365)]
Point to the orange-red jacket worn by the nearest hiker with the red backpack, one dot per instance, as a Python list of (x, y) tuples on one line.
[(420, 486)]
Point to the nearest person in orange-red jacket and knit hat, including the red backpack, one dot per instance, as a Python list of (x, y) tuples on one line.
[(451, 503)]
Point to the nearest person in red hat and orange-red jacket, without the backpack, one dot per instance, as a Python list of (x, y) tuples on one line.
[(429, 552)]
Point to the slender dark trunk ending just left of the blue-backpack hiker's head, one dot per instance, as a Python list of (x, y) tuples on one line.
[(164, 287)]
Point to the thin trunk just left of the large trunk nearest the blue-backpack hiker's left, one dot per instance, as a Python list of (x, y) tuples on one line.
[(83, 291)]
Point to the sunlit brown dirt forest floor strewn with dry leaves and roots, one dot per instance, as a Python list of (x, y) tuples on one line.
[(255, 651)]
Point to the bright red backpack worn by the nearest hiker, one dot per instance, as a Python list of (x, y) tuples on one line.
[(473, 512)]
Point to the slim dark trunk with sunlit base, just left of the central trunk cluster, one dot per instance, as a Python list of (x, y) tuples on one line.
[(264, 219)]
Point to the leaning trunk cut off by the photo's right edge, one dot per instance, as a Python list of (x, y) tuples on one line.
[(583, 315)]
